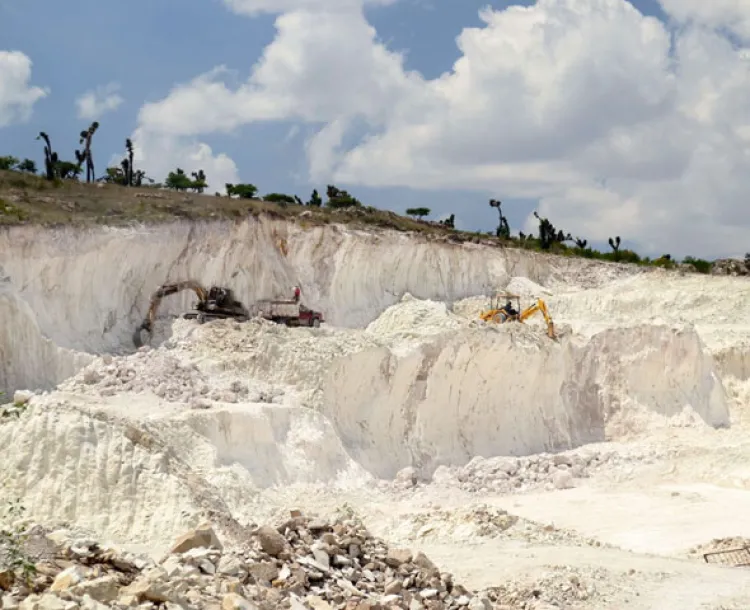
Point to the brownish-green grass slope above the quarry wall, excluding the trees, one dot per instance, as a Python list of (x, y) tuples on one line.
[(30, 199)]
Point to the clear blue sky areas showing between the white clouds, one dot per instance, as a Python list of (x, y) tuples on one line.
[(151, 46)]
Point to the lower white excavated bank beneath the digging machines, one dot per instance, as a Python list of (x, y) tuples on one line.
[(202, 424)]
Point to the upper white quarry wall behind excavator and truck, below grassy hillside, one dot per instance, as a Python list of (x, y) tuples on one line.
[(86, 290)]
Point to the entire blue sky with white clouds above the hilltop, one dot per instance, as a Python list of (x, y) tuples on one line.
[(608, 117)]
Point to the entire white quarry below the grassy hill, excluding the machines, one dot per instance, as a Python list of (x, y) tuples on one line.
[(402, 454)]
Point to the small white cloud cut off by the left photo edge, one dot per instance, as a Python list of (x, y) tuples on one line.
[(17, 96)]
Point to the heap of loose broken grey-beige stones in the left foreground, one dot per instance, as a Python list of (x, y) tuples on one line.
[(304, 563)]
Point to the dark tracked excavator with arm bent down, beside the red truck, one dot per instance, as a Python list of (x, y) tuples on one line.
[(213, 304)]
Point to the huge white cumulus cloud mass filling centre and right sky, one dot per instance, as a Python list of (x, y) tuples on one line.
[(615, 124)]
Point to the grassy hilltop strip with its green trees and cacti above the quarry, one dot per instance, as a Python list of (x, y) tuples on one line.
[(58, 196)]
